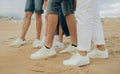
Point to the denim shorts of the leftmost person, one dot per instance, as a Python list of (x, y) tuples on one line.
[(34, 6)]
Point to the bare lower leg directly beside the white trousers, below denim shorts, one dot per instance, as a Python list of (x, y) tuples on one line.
[(70, 18)]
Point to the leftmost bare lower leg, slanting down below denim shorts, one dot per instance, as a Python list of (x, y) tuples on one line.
[(26, 24)]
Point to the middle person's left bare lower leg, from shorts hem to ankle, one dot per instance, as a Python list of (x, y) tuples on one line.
[(51, 23)]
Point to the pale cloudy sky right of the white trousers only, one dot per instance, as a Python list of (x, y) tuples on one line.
[(110, 8)]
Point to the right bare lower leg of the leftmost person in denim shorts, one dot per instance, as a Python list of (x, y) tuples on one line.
[(38, 25)]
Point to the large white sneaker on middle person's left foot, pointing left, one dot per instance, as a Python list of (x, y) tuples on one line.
[(43, 53)]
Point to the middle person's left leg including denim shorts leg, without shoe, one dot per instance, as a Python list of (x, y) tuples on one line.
[(52, 20)]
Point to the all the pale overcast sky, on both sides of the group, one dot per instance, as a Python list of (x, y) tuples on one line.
[(108, 8)]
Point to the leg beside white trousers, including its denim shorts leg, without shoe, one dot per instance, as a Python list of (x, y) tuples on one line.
[(70, 18)]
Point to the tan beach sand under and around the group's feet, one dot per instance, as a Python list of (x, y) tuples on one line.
[(15, 60)]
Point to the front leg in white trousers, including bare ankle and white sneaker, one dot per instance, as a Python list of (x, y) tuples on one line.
[(84, 35)]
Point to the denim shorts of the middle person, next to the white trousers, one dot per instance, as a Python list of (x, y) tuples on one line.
[(54, 6)]
